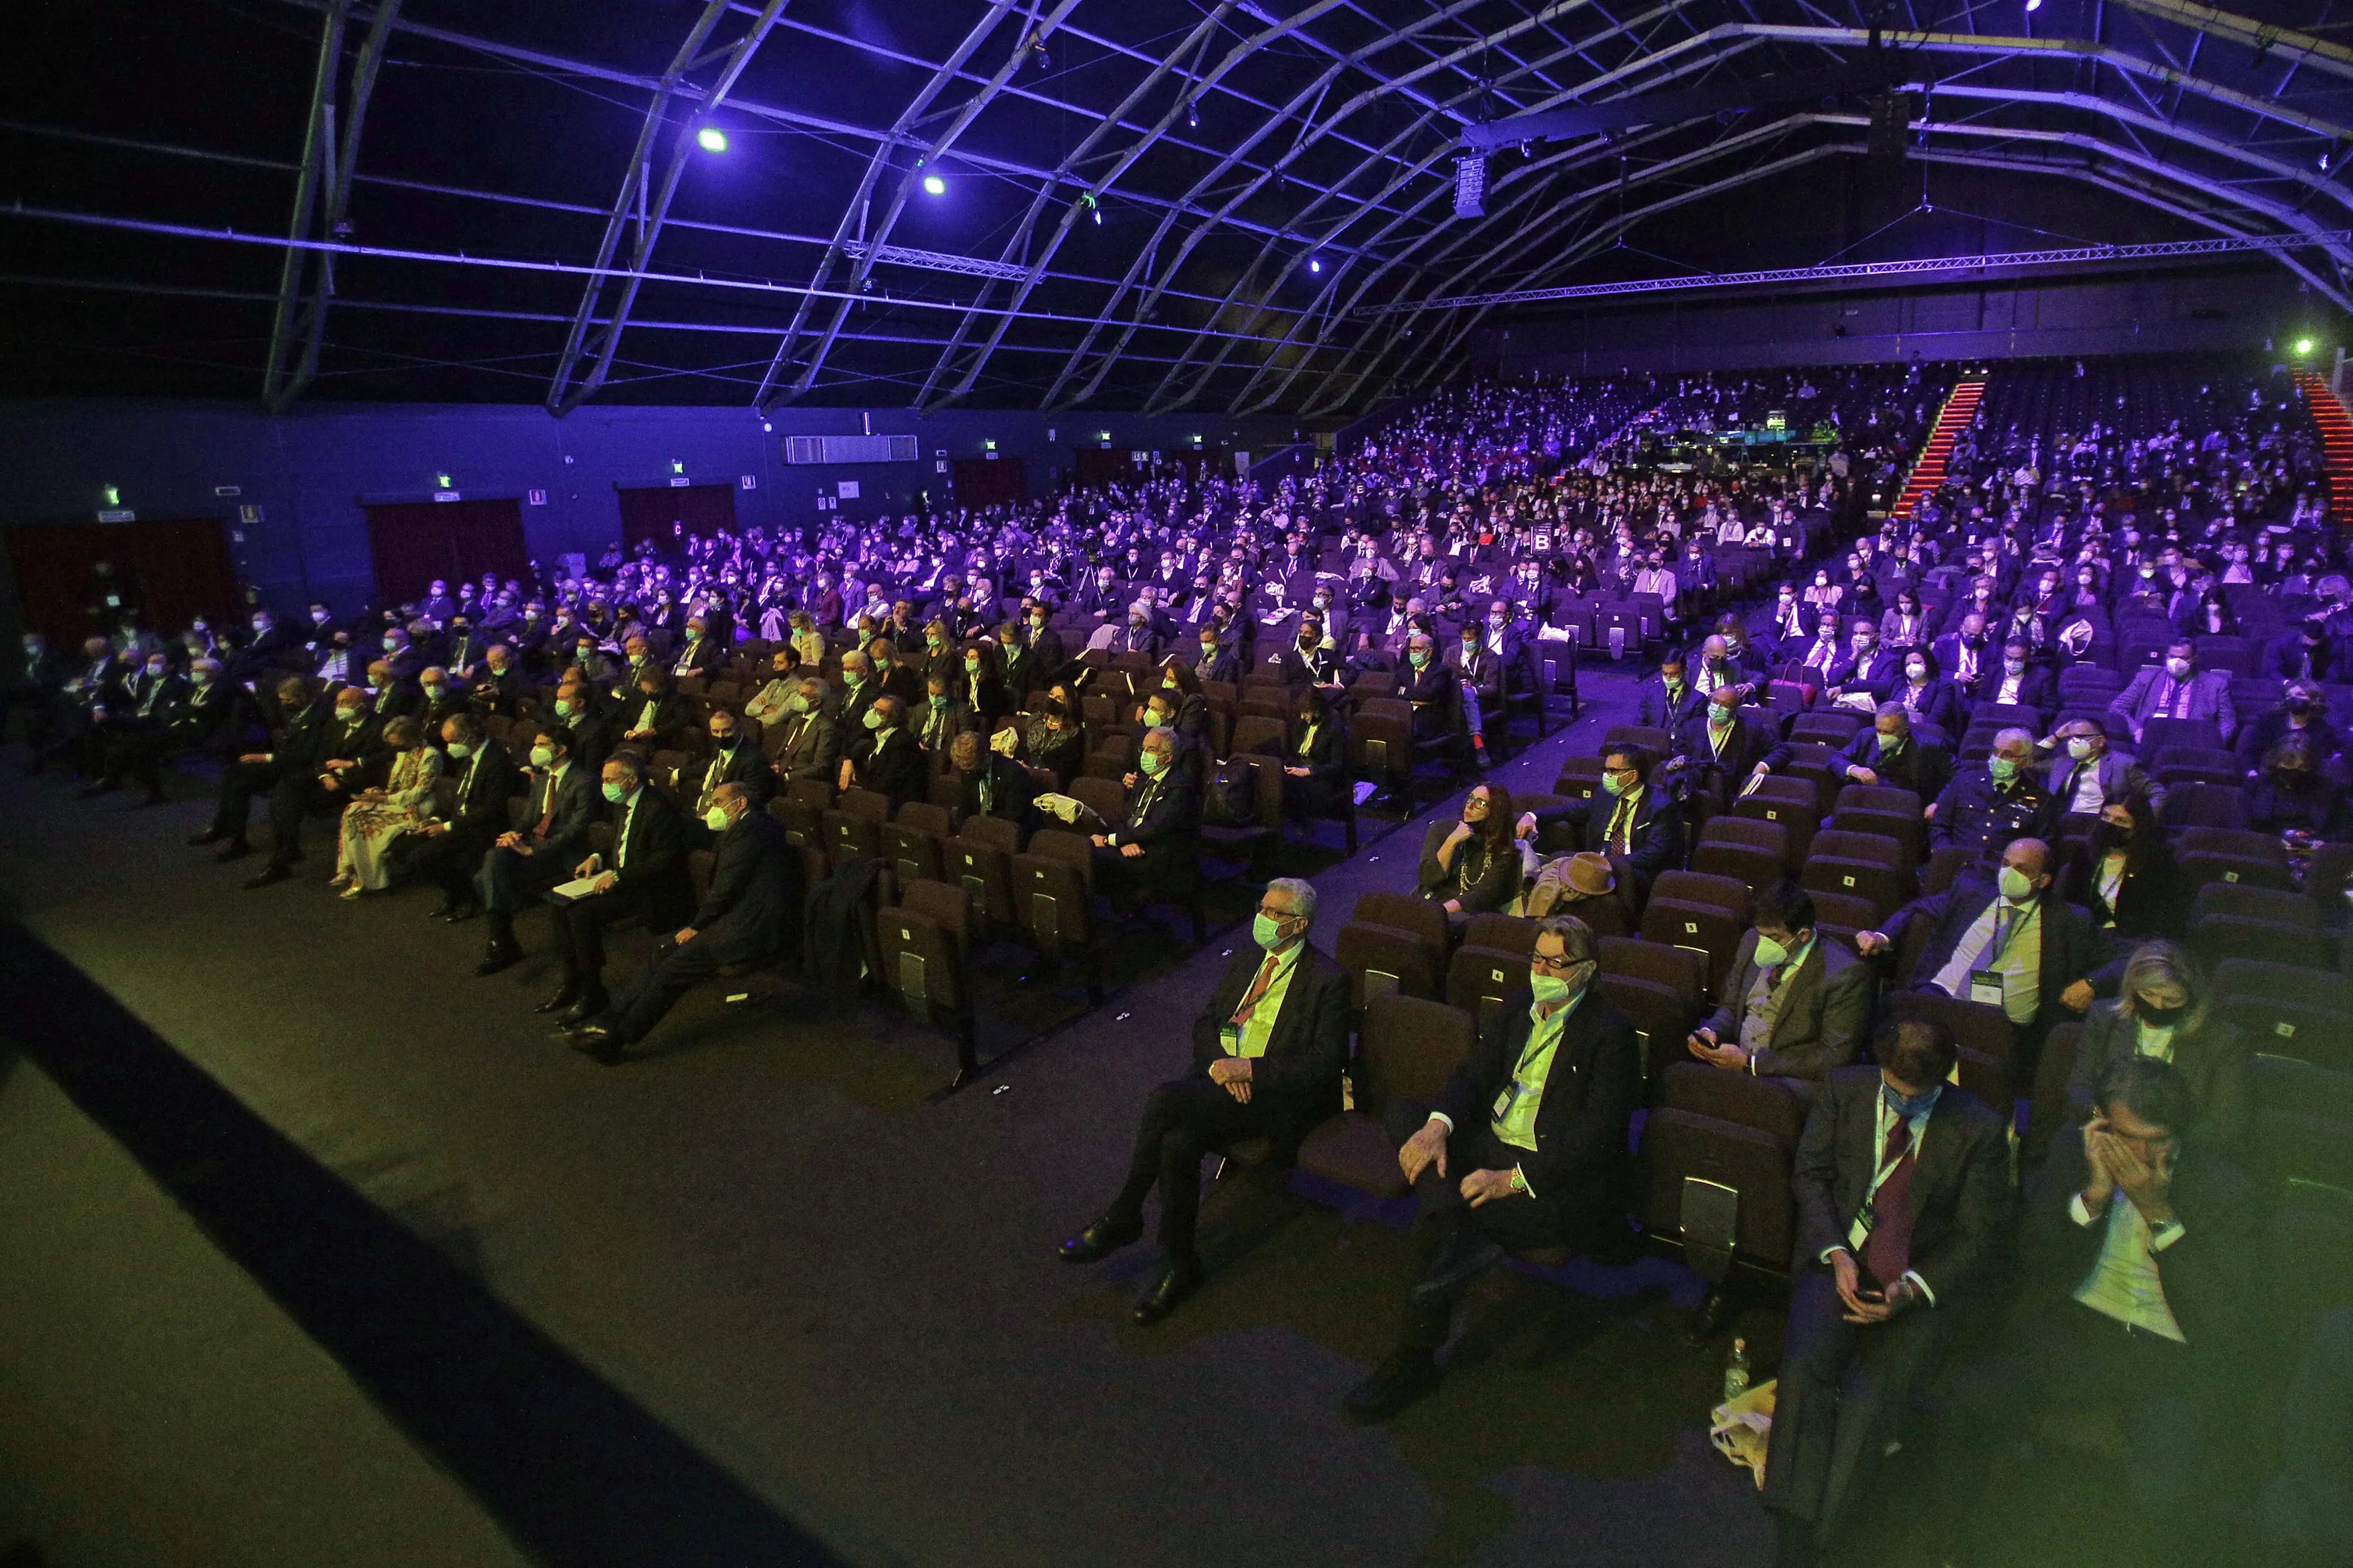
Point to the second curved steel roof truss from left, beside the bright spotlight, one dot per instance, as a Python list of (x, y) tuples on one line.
[(646, 211)]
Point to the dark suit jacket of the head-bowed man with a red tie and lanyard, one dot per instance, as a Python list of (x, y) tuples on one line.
[(1959, 1195)]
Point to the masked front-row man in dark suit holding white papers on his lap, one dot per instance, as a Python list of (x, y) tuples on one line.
[(641, 877)]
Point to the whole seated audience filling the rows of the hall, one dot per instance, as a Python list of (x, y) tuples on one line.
[(1975, 811)]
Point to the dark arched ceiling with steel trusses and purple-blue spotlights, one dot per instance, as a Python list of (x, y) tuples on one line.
[(1145, 204)]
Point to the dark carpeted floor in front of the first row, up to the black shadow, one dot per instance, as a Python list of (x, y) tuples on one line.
[(775, 1244)]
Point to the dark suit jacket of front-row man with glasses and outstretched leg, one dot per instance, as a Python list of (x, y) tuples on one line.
[(1589, 1101)]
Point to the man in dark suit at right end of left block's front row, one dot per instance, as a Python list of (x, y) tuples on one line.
[(749, 912)]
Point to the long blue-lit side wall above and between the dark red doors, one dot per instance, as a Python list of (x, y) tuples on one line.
[(312, 470)]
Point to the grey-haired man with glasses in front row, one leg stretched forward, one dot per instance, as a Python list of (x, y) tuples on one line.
[(1526, 1148)]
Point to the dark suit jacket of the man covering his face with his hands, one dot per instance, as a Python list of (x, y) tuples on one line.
[(2211, 1277)]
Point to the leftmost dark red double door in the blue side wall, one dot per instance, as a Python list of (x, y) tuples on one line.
[(171, 571)]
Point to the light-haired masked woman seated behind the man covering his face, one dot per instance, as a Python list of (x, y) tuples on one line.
[(2164, 1011)]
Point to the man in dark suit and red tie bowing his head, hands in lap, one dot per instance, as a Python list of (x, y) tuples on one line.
[(1902, 1209)]
